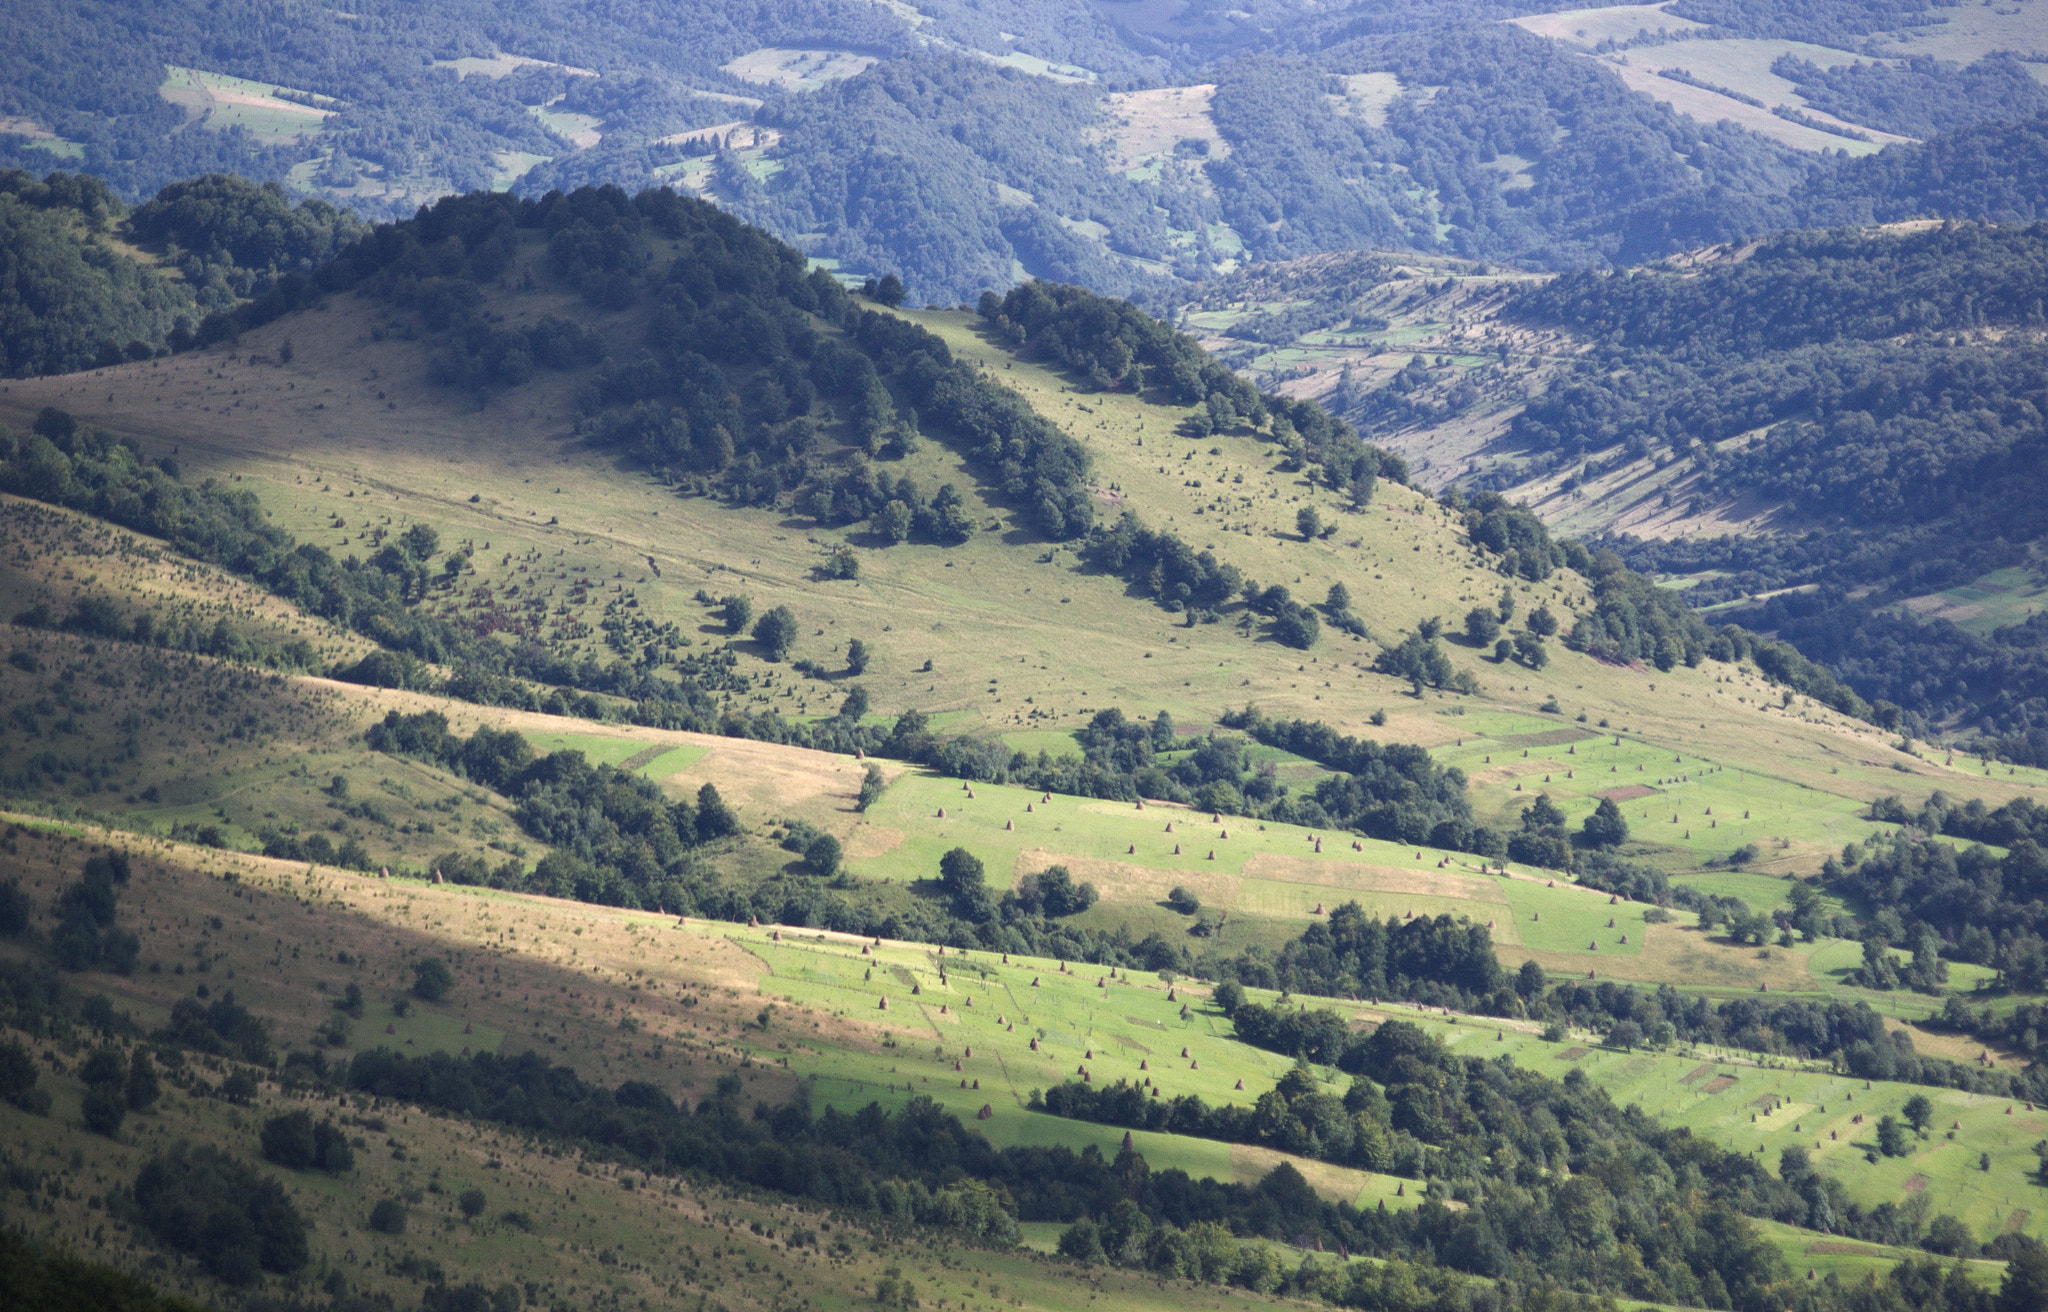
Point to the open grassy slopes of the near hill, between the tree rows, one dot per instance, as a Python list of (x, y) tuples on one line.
[(1005, 638)]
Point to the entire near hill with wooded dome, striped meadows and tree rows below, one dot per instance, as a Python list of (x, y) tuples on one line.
[(419, 642)]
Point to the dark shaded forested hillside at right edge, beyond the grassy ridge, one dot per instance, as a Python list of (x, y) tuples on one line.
[(1887, 390)]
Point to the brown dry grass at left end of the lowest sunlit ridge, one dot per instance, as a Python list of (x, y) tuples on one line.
[(548, 975)]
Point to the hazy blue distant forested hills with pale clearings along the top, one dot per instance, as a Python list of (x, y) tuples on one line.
[(1072, 142)]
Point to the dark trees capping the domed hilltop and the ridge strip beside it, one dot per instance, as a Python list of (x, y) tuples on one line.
[(761, 382)]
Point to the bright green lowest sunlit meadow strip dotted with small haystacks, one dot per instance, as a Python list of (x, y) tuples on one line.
[(1705, 1090)]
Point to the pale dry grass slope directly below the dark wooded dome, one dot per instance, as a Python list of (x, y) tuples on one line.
[(906, 591)]
